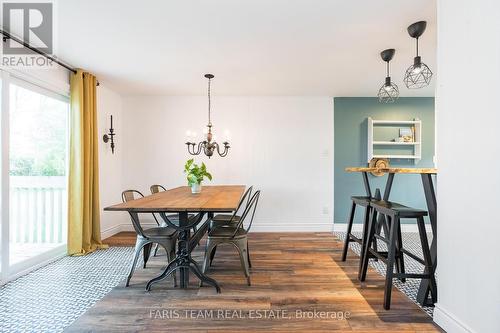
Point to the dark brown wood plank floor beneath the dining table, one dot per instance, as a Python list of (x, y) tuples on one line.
[(292, 272)]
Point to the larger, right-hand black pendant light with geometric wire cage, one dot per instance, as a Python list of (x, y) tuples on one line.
[(417, 75)]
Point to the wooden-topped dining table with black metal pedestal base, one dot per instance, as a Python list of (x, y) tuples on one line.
[(191, 209)]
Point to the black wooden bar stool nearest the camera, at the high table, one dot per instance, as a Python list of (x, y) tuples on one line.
[(393, 213)]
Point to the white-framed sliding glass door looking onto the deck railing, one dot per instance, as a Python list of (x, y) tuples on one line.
[(38, 131)]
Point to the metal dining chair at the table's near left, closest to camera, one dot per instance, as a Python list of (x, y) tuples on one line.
[(161, 236)]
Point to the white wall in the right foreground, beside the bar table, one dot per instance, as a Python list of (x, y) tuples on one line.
[(468, 147)]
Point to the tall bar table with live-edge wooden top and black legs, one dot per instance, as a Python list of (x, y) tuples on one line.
[(426, 175)]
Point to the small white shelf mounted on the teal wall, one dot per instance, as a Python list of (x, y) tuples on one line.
[(416, 152)]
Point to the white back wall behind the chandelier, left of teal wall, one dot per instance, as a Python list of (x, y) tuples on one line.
[(282, 145)]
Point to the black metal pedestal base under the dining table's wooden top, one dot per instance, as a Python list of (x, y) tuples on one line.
[(183, 261)]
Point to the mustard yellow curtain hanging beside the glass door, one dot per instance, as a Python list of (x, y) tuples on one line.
[(84, 232)]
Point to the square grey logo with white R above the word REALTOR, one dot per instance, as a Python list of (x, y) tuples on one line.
[(32, 23)]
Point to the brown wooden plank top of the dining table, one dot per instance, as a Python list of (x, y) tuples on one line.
[(211, 199)]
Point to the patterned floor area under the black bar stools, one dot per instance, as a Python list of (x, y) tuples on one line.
[(411, 242)]
